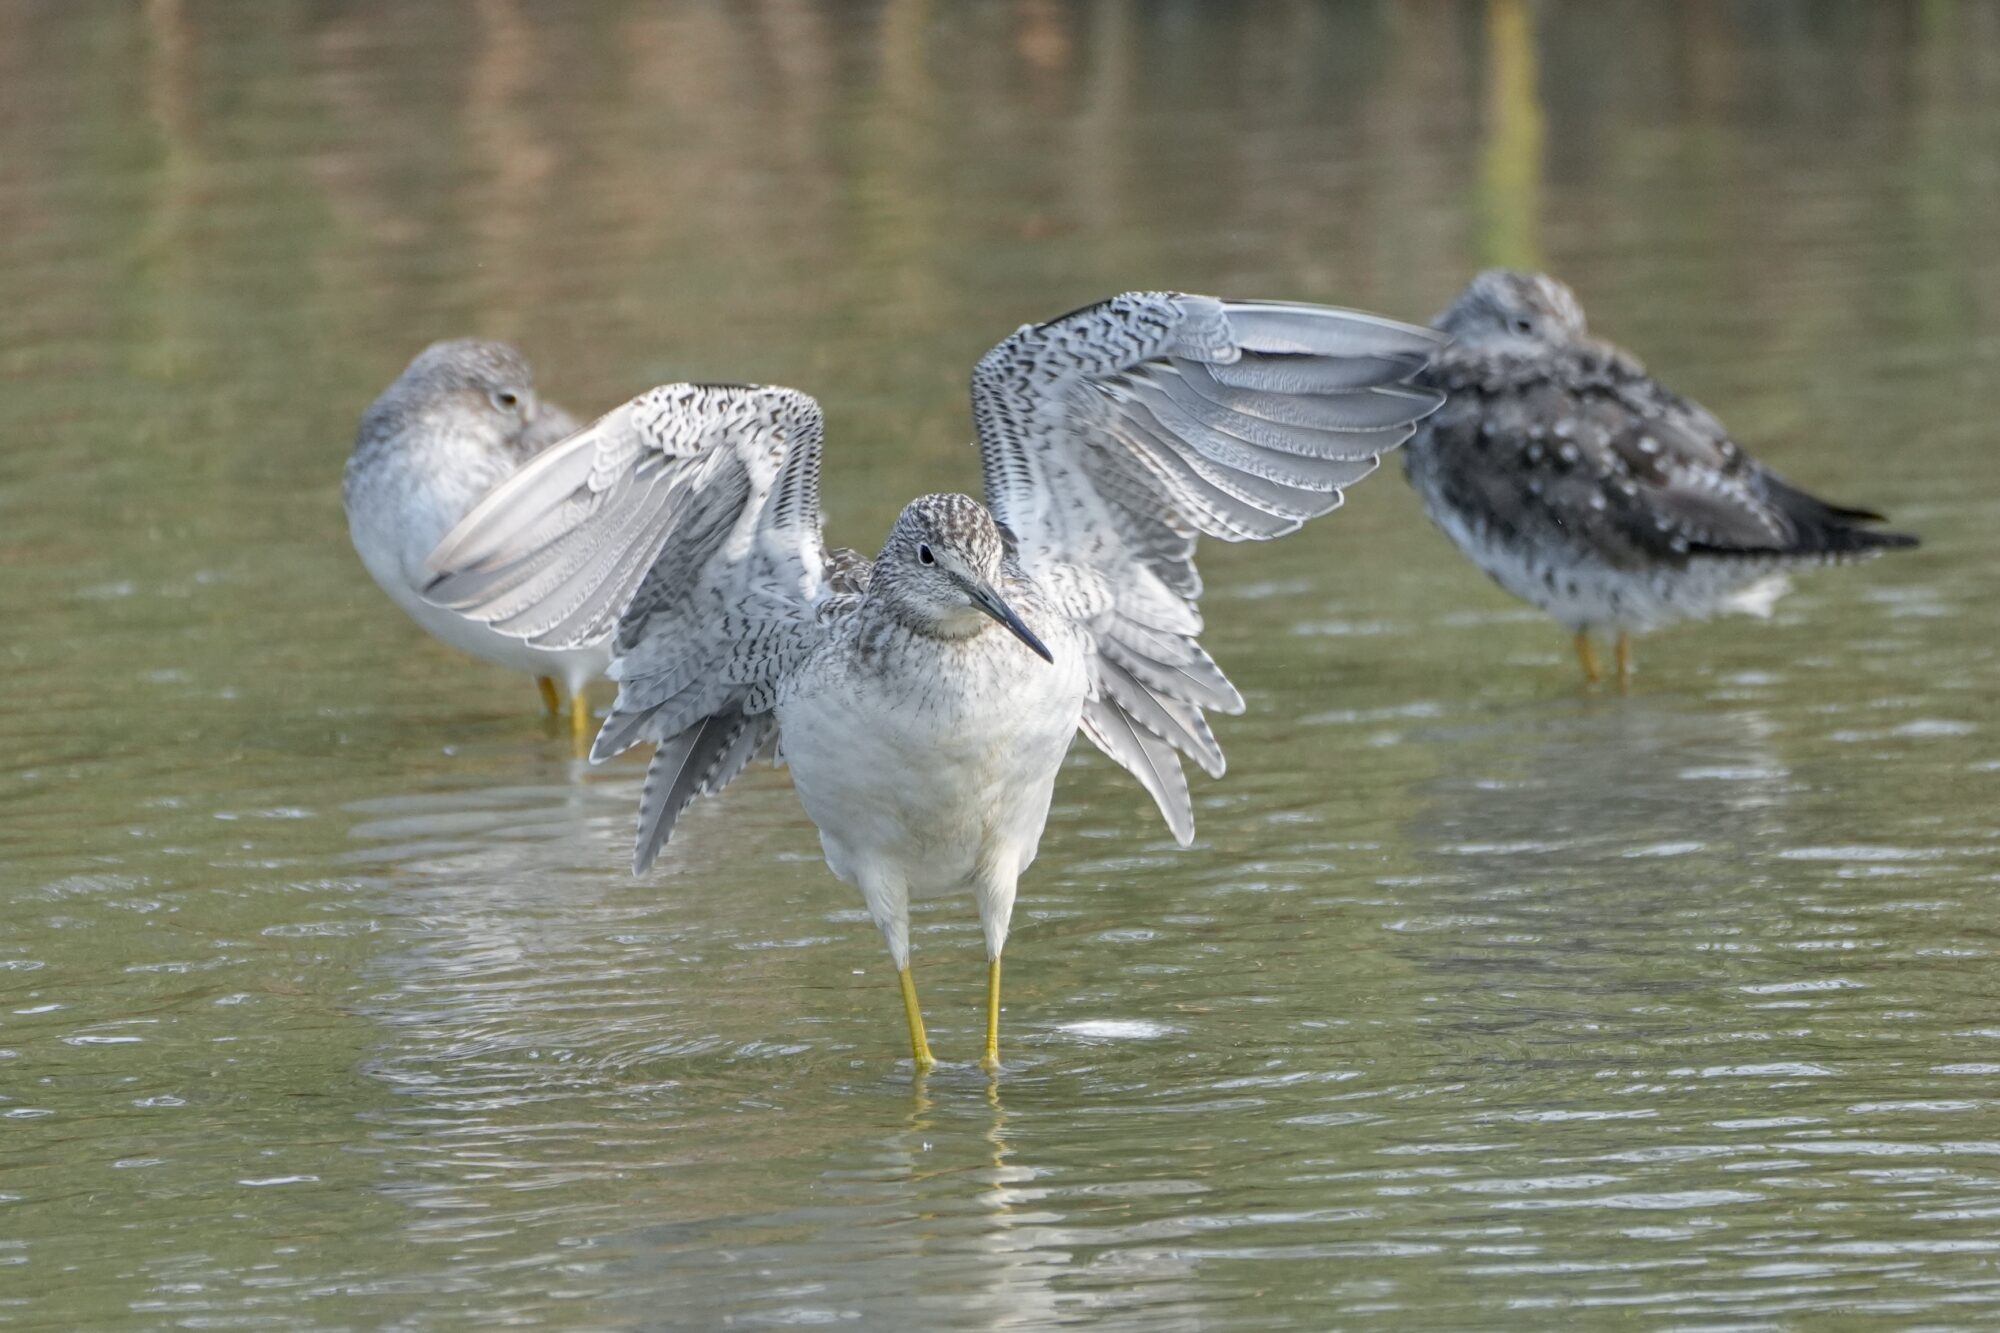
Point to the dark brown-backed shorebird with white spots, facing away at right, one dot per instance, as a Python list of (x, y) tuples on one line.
[(1583, 485)]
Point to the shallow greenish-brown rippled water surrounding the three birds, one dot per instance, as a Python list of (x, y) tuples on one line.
[(1481, 1002)]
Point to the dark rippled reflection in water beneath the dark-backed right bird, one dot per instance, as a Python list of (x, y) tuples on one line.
[(1577, 850)]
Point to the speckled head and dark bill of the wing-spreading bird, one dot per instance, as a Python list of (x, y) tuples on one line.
[(941, 571)]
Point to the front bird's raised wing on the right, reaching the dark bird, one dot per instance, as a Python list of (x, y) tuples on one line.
[(1117, 435)]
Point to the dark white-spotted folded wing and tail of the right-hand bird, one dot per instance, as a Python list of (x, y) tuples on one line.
[(1589, 447)]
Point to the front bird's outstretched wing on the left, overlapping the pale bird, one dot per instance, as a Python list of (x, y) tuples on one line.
[(691, 521)]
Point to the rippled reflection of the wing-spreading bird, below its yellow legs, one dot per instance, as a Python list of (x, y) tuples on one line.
[(929, 1222)]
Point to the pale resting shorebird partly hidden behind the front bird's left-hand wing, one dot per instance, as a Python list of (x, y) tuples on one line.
[(455, 425)]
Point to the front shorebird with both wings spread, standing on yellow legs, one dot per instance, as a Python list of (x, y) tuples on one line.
[(925, 700)]
